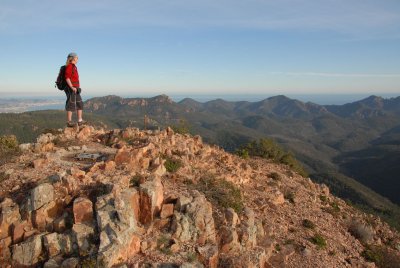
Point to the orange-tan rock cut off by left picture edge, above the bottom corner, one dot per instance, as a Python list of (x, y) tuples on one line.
[(9, 215)]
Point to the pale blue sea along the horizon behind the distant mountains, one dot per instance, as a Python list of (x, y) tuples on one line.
[(57, 102)]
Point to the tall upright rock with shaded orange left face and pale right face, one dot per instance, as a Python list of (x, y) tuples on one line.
[(151, 199)]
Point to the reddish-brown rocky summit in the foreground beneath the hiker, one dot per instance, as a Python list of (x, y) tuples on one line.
[(133, 198)]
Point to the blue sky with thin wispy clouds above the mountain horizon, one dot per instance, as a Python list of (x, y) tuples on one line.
[(189, 47)]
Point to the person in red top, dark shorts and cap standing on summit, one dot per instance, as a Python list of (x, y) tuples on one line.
[(73, 90)]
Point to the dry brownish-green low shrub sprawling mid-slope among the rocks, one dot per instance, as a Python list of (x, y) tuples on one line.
[(221, 192)]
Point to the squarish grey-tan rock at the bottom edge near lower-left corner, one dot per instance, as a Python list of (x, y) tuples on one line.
[(28, 252)]
